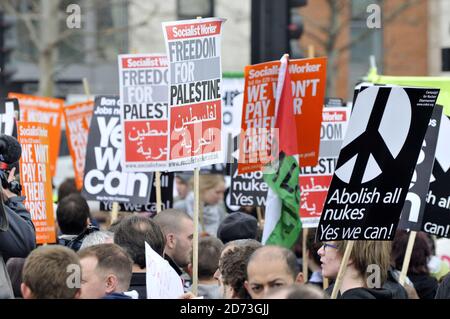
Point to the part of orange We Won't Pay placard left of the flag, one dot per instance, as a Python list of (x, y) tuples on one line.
[(258, 116)]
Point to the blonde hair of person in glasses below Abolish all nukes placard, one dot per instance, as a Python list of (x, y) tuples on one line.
[(370, 252)]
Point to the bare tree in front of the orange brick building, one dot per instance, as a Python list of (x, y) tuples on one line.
[(327, 35)]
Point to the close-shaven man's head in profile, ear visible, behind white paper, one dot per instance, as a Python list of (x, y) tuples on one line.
[(178, 229)]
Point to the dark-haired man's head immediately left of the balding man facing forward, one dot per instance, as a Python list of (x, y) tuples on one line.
[(231, 273)]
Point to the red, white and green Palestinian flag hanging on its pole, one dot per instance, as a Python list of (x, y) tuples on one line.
[(282, 222)]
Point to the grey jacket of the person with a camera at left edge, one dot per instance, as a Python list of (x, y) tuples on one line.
[(17, 241)]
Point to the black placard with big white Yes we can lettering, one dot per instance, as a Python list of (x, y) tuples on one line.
[(104, 179)]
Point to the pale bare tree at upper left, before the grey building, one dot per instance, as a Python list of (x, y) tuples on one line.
[(43, 20)]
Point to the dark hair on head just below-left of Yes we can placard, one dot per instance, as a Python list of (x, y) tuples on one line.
[(72, 213)]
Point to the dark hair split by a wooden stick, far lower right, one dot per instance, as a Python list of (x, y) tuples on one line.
[(420, 254)]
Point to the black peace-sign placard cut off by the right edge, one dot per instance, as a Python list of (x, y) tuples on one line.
[(436, 218)]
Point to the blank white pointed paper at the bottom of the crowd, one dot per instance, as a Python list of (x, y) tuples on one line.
[(162, 280)]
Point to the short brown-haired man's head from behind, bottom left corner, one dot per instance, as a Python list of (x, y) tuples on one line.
[(50, 272)]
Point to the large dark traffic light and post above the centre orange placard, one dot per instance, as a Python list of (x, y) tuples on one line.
[(275, 26)]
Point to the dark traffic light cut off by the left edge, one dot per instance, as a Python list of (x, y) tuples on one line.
[(6, 72)]
